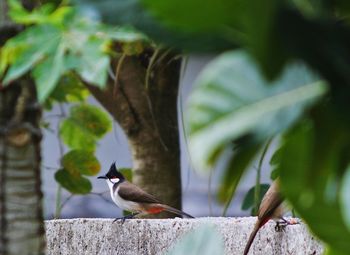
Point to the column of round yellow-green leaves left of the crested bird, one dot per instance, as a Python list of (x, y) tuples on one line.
[(80, 131)]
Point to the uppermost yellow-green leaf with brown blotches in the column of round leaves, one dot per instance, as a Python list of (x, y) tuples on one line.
[(91, 118)]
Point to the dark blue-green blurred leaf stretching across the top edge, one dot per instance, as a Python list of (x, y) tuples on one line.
[(131, 12)]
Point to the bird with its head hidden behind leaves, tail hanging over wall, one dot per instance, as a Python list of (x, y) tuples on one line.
[(271, 207)]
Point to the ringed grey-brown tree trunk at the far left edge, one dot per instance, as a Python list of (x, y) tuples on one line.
[(21, 219)]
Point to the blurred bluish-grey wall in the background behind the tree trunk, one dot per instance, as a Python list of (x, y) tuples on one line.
[(114, 147)]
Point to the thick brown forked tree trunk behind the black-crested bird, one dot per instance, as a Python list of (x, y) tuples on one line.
[(144, 102)]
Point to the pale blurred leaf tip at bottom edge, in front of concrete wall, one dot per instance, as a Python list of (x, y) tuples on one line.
[(204, 240)]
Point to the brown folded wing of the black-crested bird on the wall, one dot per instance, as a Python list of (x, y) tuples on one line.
[(131, 192)]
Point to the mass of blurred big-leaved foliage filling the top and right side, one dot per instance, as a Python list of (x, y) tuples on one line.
[(272, 91)]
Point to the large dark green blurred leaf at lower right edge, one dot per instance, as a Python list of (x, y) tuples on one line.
[(314, 160)]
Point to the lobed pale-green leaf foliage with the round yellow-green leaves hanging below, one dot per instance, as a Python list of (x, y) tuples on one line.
[(61, 50)]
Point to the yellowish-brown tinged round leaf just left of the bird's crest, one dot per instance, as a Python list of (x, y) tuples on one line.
[(81, 161)]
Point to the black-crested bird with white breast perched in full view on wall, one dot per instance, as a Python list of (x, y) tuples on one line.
[(130, 197)]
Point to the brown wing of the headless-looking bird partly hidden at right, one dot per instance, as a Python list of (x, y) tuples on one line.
[(270, 202)]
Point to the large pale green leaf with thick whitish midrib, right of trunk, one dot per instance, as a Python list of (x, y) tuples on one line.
[(232, 99)]
